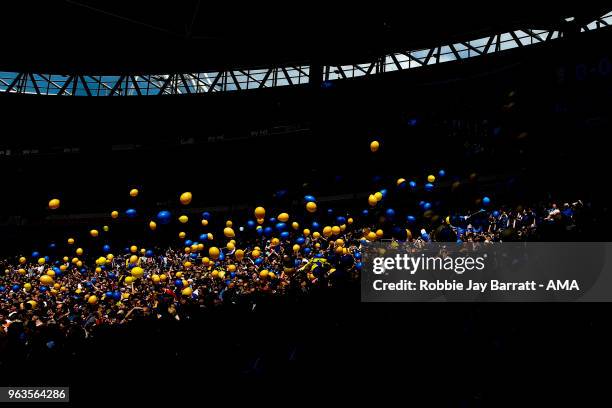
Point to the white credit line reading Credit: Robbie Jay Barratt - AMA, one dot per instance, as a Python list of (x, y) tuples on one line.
[(492, 285)]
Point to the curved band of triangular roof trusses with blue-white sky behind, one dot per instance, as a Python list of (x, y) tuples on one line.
[(296, 74)]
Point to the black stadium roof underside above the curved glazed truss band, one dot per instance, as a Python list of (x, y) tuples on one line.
[(65, 36)]
